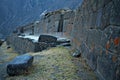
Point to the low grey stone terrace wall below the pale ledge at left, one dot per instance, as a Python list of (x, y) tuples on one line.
[(24, 45)]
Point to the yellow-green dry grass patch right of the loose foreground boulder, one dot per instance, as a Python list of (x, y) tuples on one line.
[(53, 64)]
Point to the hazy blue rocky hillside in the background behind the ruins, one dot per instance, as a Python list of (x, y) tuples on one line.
[(14, 13)]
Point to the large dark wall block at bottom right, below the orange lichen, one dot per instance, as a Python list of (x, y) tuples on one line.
[(106, 66)]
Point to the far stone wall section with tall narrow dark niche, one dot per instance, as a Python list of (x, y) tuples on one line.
[(51, 22)]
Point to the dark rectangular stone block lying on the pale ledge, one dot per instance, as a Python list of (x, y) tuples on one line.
[(47, 39)]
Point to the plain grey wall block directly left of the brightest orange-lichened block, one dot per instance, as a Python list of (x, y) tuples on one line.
[(94, 38)]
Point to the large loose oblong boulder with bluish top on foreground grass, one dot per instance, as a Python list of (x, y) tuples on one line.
[(19, 65)]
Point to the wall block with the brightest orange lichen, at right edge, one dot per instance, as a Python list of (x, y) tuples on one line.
[(113, 42)]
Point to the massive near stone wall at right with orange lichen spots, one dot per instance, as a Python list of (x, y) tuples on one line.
[(97, 34)]
